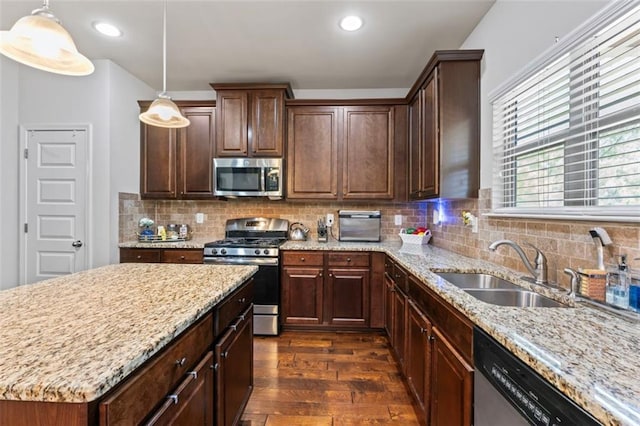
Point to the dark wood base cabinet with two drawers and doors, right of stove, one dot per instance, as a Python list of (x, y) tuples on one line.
[(329, 290)]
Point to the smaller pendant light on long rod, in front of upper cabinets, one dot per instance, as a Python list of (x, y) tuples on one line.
[(163, 112)]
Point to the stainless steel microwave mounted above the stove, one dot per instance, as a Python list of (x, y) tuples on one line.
[(247, 177)]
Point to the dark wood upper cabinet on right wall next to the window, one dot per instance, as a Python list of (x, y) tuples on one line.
[(444, 127)]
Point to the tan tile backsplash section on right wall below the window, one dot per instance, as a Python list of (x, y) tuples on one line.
[(565, 243)]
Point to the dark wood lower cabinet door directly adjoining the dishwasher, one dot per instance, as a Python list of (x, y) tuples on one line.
[(451, 385)]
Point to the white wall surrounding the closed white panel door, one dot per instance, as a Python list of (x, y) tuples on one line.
[(106, 100)]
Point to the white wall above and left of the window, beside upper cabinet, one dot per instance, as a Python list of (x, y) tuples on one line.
[(514, 33)]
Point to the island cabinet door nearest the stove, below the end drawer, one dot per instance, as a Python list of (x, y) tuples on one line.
[(234, 373)]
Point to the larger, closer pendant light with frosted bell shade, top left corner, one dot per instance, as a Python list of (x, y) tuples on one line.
[(39, 41)]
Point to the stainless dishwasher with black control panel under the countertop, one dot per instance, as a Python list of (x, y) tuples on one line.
[(507, 392)]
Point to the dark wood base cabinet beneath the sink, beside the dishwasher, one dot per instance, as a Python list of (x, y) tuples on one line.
[(433, 345)]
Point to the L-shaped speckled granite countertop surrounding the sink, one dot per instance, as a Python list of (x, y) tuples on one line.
[(590, 355)]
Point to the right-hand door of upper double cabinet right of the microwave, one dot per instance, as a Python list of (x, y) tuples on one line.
[(368, 152)]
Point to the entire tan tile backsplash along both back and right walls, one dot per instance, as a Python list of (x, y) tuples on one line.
[(566, 243)]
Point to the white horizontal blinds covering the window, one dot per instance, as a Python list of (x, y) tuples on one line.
[(567, 135)]
